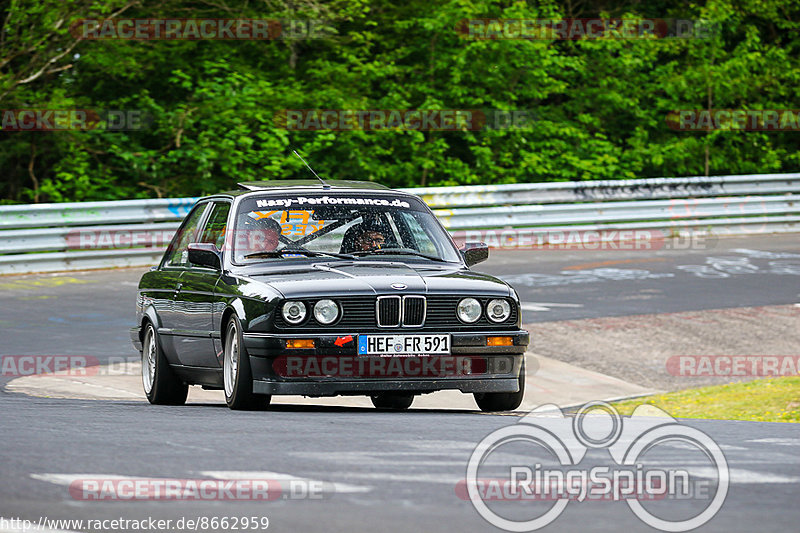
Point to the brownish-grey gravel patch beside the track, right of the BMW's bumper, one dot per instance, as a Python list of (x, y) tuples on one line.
[(662, 351)]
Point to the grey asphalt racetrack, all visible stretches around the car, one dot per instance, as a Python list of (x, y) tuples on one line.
[(375, 470)]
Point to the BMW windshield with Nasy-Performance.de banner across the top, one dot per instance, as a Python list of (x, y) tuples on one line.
[(345, 225)]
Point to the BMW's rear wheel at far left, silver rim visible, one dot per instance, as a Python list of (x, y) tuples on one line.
[(160, 384)]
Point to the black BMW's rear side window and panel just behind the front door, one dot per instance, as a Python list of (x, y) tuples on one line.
[(172, 267)]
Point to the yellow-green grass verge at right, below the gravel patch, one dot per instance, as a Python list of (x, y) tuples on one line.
[(762, 400)]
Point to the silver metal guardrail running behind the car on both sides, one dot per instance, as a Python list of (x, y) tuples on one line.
[(48, 237)]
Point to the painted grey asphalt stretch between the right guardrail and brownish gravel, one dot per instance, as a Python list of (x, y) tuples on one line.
[(710, 274)]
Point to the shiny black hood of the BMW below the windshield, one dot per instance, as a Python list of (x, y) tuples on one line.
[(354, 279)]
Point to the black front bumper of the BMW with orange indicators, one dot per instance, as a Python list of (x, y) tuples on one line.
[(333, 367)]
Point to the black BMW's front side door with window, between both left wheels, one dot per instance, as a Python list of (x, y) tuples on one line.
[(195, 297)]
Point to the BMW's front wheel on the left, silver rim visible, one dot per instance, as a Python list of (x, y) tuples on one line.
[(237, 376)]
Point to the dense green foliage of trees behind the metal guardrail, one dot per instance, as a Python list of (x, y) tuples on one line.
[(600, 105)]
